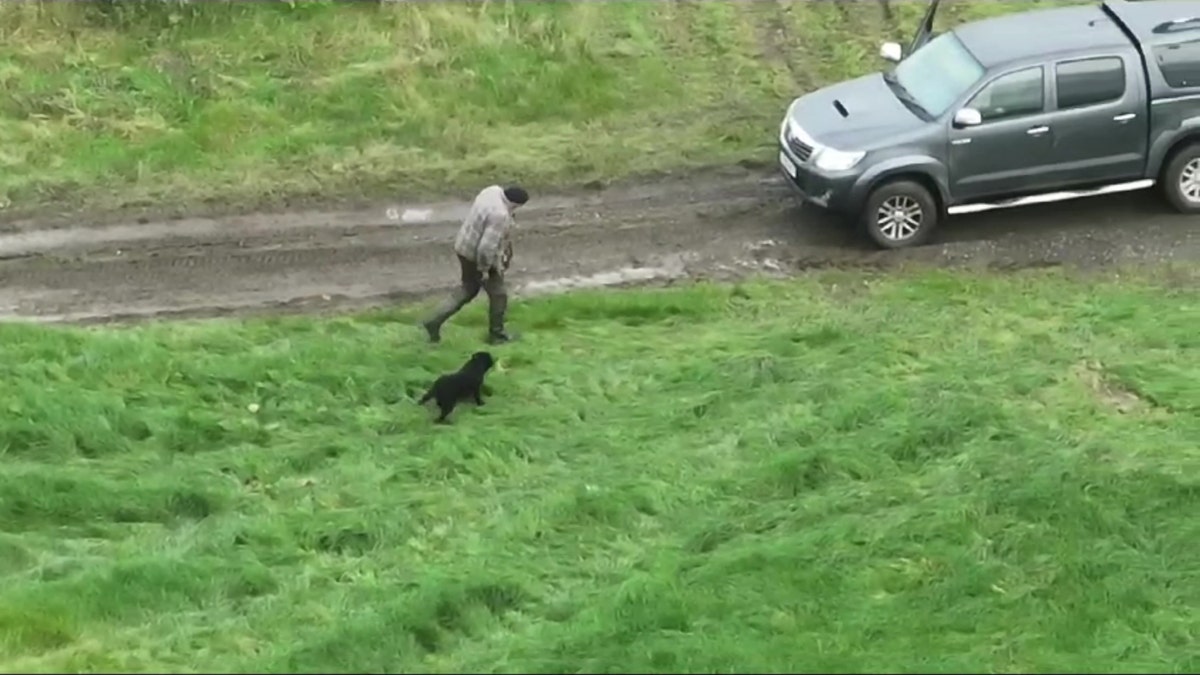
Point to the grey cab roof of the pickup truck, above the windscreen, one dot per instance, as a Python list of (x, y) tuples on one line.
[(1023, 35)]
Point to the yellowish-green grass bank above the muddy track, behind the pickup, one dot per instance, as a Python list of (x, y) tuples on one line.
[(262, 103)]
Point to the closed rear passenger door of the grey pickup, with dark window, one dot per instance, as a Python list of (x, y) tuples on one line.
[(1101, 121)]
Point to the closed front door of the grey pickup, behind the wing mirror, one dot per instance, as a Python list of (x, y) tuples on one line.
[(1004, 156)]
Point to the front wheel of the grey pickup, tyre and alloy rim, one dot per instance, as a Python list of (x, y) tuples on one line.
[(901, 214)]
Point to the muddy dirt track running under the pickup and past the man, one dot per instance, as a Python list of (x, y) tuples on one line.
[(722, 226)]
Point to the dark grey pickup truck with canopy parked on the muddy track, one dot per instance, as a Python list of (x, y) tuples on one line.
[(1037, 106)]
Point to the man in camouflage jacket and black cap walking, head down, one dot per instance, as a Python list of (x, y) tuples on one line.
[(485, 249)]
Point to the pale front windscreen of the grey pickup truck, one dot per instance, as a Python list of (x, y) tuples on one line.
[(939, 74)]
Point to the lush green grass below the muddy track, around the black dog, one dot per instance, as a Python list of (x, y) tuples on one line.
[(932, 473)]
